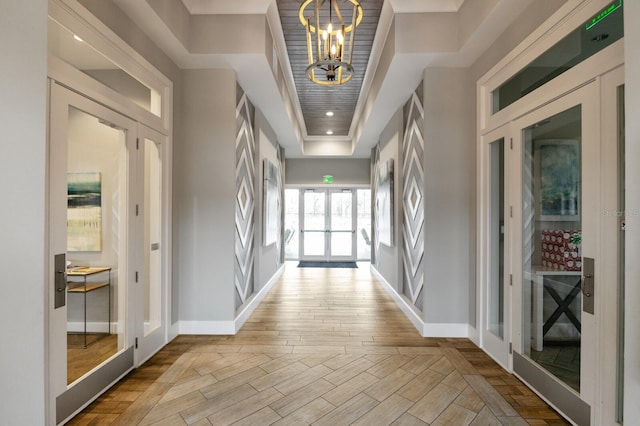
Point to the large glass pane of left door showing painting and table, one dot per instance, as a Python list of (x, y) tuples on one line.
[(96, 182)]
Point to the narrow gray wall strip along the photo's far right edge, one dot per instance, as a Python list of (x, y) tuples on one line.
[(632, 292)]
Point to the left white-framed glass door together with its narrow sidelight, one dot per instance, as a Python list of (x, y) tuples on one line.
[(107, 227)]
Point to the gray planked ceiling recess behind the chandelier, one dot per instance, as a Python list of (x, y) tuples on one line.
[(316, 100)]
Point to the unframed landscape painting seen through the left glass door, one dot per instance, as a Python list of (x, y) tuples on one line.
[(84, 211)]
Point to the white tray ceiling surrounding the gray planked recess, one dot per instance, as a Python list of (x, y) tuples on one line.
[(483, 23)]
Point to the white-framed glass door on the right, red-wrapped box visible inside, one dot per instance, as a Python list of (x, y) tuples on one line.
[(561, 278)]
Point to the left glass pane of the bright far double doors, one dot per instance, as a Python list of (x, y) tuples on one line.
[(314, 224)]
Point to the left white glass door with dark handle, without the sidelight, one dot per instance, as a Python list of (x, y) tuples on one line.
[(91, 164)]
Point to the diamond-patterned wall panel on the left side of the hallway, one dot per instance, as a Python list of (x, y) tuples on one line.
[(245, 200)]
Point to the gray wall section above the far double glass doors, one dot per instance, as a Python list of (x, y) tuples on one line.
[(349, 171)]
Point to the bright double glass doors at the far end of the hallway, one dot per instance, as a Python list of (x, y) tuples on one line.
[(328, 225)]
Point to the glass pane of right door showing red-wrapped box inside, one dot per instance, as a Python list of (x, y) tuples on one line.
[(552, 237)]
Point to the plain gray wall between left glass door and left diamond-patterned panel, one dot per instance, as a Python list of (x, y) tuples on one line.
[(204, 195)]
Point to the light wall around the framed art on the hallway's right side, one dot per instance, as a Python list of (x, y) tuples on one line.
[(389, 259)]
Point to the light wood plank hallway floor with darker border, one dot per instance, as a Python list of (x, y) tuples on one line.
[(325, 347)]
